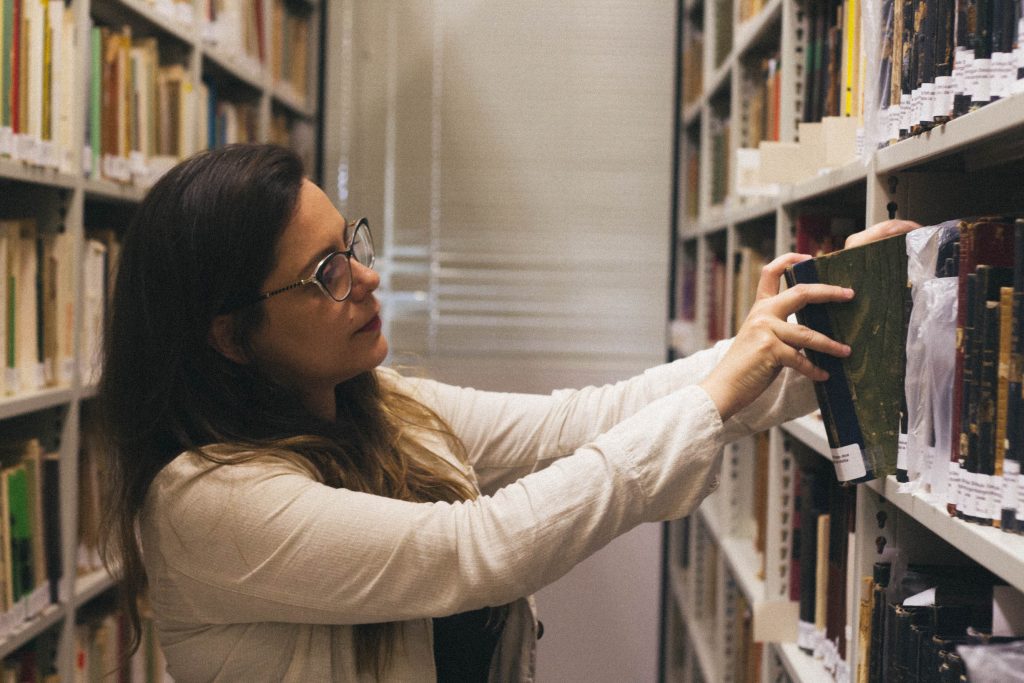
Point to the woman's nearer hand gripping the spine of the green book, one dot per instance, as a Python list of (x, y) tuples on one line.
[(766, 343)]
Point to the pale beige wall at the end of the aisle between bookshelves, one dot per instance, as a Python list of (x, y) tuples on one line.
[(516, 158)]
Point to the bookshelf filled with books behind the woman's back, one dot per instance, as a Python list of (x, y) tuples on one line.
[(204, 73)]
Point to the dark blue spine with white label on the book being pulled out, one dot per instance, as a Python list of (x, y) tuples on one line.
[(845, 439)]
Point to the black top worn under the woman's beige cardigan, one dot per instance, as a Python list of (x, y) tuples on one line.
[(464, 645)]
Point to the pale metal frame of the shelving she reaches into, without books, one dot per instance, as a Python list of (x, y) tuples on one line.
[(968, 166)]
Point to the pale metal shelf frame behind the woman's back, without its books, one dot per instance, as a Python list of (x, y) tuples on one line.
[(77, 192)]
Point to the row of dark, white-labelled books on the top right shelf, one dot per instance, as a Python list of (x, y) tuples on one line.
[(943, 60)]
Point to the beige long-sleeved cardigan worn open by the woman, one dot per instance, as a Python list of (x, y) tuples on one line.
[(258, 572)]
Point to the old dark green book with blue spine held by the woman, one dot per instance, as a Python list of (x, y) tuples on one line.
[(862, 400)]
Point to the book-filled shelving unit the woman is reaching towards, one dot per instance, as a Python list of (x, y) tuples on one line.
[(798, 124)]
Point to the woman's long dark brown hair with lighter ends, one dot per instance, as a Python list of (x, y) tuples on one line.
[(202, 241)]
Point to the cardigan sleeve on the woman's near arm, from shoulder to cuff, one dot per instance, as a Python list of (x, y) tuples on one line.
[(262, 541)]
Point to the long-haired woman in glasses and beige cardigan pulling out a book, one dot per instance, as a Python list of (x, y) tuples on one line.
[(295, 513)]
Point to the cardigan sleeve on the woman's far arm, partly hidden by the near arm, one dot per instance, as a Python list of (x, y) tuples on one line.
[(508, 436)]
